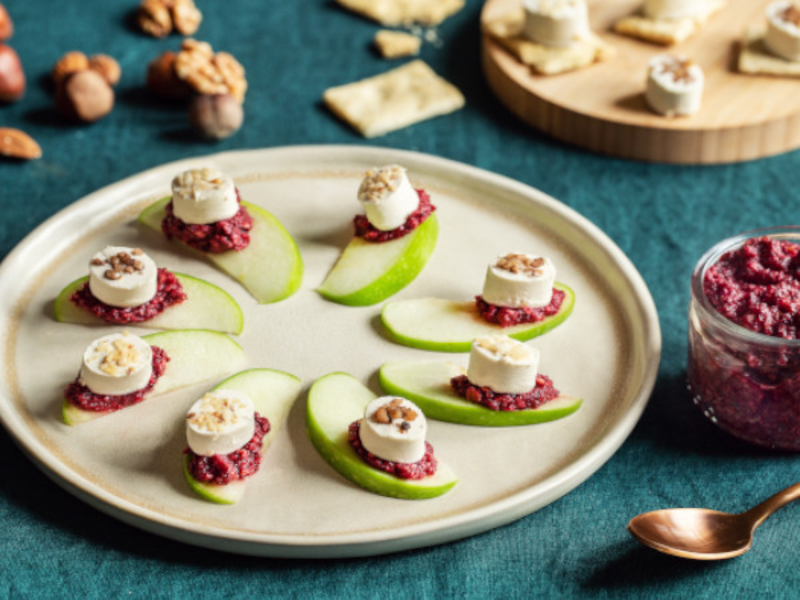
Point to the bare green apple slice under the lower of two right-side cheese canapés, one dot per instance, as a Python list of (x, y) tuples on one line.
[(428, 385)]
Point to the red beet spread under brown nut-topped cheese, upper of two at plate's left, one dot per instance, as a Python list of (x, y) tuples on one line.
[(169, 292)]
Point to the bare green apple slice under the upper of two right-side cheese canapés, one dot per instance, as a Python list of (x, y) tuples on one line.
[(450, 325)]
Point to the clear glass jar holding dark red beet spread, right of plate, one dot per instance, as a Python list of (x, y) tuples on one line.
[(748, 383)]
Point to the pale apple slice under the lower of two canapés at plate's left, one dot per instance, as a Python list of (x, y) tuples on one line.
[(196, 355)]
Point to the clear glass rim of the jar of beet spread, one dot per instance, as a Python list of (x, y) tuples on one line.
[(711, 257)]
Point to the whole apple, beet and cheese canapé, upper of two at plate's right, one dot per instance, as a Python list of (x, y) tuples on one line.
[(520, 298)]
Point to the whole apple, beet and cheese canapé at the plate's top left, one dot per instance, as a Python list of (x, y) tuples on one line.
[(242, 239)]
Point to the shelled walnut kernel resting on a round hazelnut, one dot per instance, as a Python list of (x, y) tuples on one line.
[(209, 73)]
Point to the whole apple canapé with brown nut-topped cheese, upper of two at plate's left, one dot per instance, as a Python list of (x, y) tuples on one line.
[(125, 287)]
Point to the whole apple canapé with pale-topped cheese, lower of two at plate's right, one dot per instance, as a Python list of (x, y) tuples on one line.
[(502, 386)]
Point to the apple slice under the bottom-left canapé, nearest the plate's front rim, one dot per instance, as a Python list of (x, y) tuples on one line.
[(273, 393)]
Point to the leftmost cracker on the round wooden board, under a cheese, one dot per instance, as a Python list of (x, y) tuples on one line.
[(547, 60)]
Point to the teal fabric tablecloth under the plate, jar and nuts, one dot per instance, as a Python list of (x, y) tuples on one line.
[(663, 218)]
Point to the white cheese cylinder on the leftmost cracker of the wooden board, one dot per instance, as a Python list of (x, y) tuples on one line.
[(558, 23)]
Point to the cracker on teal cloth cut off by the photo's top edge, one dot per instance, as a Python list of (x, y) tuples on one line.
[(394, 13)]
